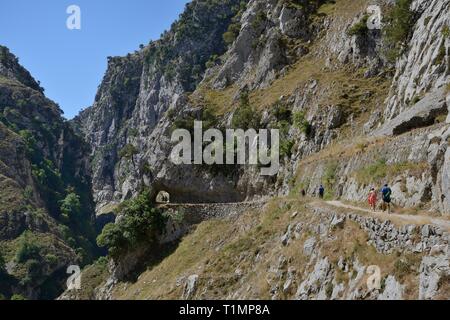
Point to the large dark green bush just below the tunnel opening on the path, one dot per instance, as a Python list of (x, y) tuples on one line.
[(140, 223)]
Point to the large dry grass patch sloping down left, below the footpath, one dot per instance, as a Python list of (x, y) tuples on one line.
[(215, 250)]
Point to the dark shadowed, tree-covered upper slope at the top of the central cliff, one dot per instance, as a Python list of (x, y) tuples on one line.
[(184, 51)]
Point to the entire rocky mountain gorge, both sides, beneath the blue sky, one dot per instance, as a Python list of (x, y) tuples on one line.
[(356, 108)]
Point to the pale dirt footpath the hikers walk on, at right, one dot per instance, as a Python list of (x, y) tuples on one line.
[(401, 218)]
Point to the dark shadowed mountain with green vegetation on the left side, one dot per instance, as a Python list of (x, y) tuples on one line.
[(46, 208)]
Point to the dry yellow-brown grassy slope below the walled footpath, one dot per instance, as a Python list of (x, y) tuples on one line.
[(218, 250)]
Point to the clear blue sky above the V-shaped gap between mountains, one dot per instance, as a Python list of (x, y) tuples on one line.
[(71, 63)]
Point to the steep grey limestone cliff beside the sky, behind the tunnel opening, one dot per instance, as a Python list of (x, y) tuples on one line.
[(146, 86)]
